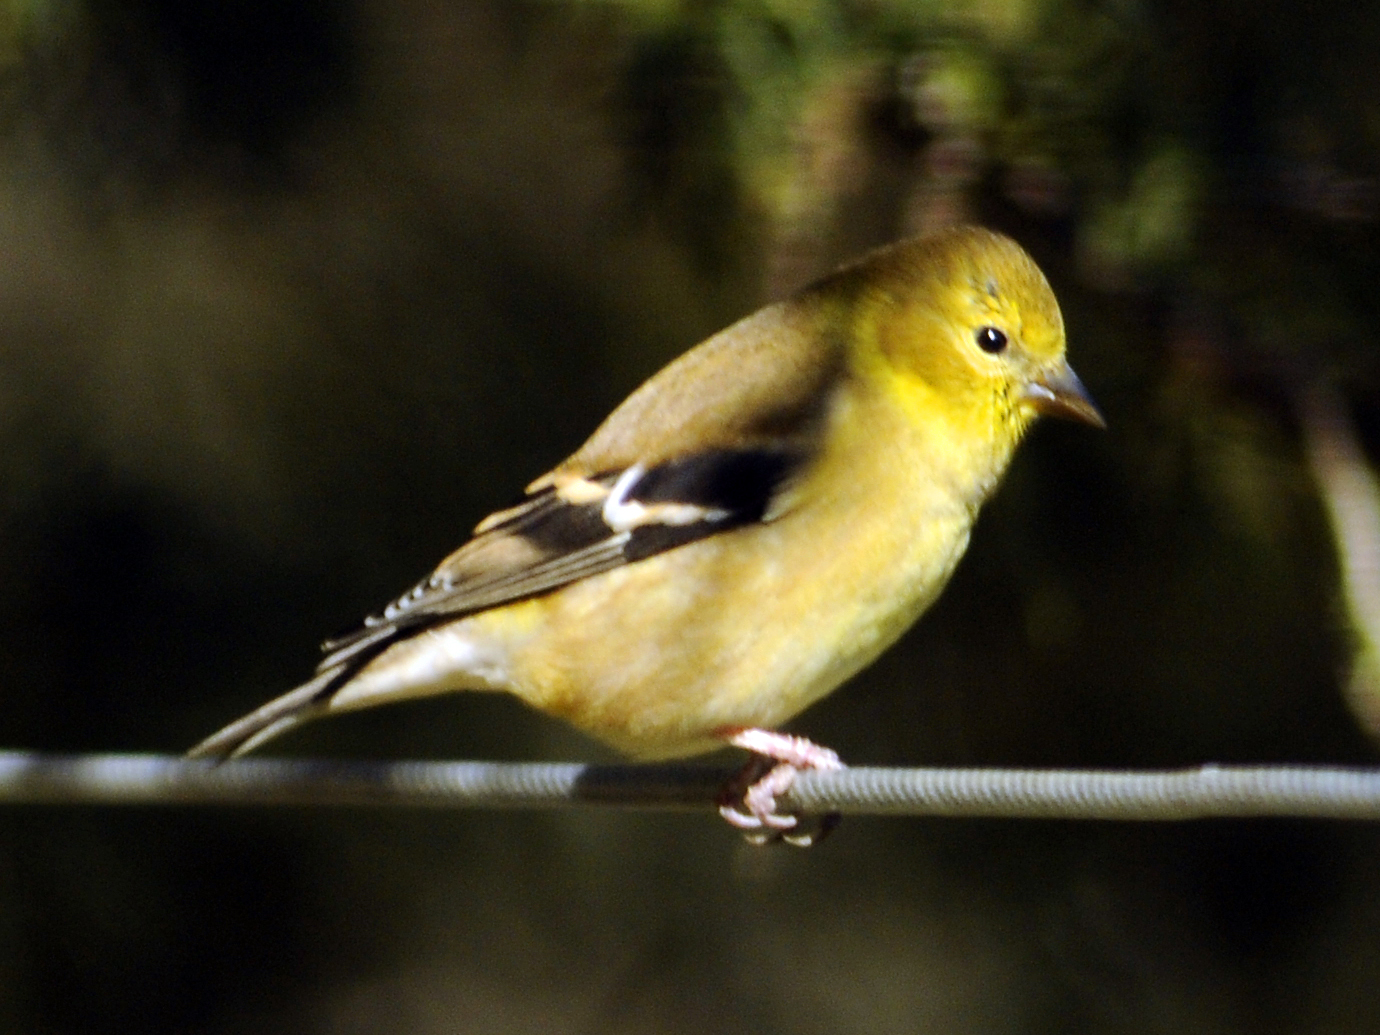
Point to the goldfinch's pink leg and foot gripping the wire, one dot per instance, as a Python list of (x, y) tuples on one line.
[(749, 801)]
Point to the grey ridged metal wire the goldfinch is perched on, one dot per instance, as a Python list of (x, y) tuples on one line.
[(1190, 794)]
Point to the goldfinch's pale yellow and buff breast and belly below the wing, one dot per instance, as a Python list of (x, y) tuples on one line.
[(750, 629)]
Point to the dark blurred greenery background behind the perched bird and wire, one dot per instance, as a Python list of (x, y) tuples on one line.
[(295, 293)]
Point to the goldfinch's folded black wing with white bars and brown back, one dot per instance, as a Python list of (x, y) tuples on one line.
[(710, 444)]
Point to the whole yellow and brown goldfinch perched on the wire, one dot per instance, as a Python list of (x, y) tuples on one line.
[(747, 531)]
